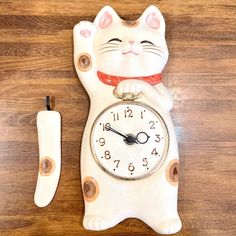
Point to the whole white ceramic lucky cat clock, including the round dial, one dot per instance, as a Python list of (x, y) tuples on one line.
[(129, 154)]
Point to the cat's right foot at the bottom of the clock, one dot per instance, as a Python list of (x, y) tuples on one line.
[(169, 227)]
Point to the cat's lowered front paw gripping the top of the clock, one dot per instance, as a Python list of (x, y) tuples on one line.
[(133, 86)]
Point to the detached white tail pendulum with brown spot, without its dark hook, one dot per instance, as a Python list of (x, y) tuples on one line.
[(49, 139)]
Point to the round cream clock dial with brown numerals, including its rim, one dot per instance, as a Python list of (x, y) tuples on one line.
[(129, 140)]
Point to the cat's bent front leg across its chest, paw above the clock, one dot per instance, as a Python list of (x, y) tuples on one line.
[(158, 94)]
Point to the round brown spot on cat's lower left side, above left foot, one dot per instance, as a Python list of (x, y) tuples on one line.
[(90, 189)]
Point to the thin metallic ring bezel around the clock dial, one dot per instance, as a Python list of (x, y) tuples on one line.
[(166, 149)]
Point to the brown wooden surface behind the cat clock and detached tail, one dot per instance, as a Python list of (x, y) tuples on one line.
[(36, 60)]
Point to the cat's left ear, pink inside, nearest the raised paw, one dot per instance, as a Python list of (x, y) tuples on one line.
[(106, 17)]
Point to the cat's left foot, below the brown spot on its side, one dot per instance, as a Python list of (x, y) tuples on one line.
[(93, 222)]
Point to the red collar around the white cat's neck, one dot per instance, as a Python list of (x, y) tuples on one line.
[(115, 80)]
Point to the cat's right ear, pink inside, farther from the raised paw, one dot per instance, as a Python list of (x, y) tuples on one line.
[(153, 18)]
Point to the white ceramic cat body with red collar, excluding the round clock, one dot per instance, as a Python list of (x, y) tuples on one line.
[(109, 54)]
